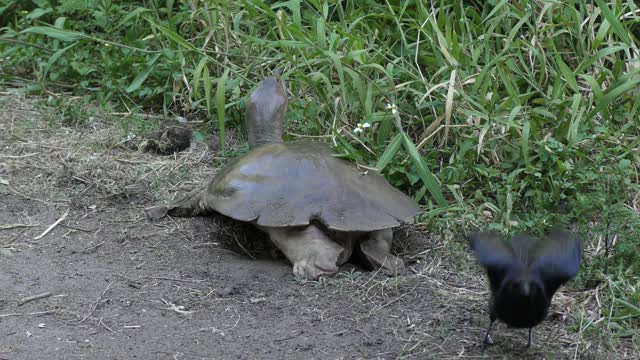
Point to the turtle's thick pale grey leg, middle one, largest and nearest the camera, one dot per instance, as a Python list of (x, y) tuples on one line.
[(310, 250)]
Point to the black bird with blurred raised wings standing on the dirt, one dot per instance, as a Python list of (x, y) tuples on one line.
[(524, 273)]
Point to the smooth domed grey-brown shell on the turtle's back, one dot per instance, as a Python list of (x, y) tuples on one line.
[(291, 184)]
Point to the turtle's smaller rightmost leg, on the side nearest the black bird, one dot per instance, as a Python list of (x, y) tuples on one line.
[(376, 248)]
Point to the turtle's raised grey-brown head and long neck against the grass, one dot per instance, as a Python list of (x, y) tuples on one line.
[(266, 111)]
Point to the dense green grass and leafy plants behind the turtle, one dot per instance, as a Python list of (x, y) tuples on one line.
[(513, 115)]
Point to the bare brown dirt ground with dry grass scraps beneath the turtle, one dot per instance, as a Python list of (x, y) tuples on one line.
[(105, 283)]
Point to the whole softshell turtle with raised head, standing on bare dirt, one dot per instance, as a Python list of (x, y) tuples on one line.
[(316, 208)]
